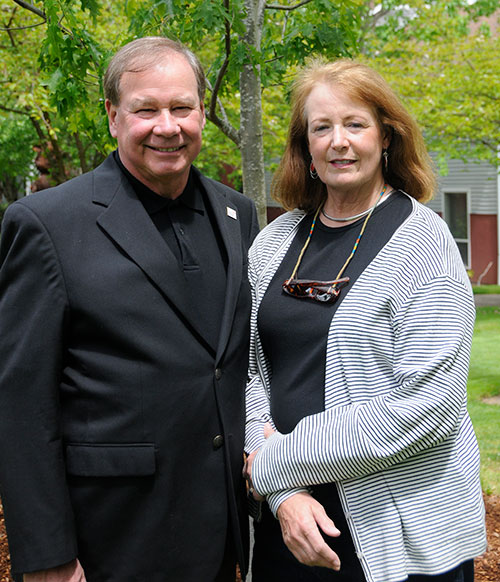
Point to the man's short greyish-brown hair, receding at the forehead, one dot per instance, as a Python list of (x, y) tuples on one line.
[(143, 54)]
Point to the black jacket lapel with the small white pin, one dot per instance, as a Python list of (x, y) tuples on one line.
[(228, 221)]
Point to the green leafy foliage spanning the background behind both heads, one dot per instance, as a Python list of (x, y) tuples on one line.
[(442, 58)]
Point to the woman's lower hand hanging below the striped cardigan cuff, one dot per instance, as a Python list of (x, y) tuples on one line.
[(301, 518)]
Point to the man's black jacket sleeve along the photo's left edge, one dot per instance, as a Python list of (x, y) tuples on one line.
[(33, 312)]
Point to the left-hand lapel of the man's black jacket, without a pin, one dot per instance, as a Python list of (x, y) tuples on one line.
[(126, 221)]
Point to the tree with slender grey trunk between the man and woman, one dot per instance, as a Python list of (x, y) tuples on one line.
[(249, 46)]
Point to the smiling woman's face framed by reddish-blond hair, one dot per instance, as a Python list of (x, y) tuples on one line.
[(345, 140)]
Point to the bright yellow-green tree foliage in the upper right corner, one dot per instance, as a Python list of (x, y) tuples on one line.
[(442, 58)]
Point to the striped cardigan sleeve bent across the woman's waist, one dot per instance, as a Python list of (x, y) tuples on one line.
[(423, 406)]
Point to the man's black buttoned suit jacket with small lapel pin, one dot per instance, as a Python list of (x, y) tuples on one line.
[(121, 427)]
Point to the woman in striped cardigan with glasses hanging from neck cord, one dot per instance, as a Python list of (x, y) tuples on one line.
[(357, 426)]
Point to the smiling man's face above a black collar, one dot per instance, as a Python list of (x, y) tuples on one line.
[(158, 124)]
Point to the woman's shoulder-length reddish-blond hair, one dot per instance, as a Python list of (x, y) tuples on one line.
[(409, 165)]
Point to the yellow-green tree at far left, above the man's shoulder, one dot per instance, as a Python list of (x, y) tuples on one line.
[(25, 95)]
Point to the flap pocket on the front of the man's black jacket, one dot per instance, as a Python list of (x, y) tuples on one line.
[(110, 460)]
